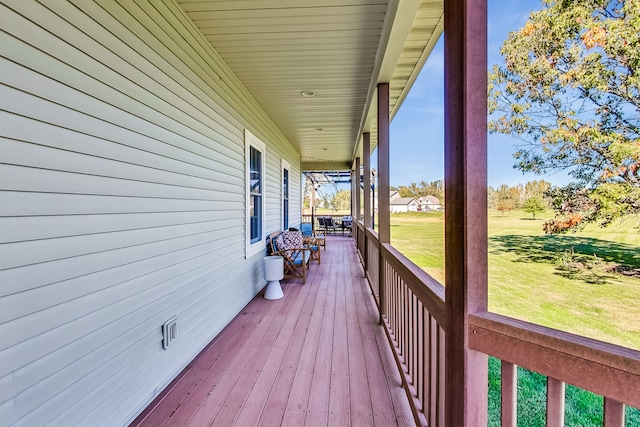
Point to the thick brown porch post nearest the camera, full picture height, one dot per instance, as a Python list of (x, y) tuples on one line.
[(465, 206)]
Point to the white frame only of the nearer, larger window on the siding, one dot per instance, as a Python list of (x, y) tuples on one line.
[(250, 140)]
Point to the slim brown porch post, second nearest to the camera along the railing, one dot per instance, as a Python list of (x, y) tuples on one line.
[(384, 221)]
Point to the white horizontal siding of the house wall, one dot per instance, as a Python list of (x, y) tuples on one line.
[(121, 204)]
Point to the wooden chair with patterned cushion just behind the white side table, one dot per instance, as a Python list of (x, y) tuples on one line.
[(289, 245)]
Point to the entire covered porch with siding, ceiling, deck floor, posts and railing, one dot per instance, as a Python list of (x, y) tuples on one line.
[(138, 141)]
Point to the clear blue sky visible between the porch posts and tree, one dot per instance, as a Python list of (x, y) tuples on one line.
[(417, 130)]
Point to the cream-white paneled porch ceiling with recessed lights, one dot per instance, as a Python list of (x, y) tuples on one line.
[(339, 49)]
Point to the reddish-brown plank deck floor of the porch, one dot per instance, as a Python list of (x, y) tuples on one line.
[(316, 357)]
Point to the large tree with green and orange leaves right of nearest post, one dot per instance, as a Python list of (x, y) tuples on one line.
[(569, 91)]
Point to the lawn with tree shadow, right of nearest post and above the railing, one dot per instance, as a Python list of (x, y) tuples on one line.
[(567, 282)]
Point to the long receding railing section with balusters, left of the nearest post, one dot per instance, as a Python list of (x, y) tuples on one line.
[(413, 315)]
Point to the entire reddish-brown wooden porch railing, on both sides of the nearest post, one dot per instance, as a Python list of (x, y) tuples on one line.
[(414, 316)]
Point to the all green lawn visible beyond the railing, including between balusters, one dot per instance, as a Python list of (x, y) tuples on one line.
[(586, 283)]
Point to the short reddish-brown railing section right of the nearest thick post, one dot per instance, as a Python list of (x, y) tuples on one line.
[(604, 369)]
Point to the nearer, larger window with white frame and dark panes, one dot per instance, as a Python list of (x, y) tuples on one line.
[(255, 190)]
